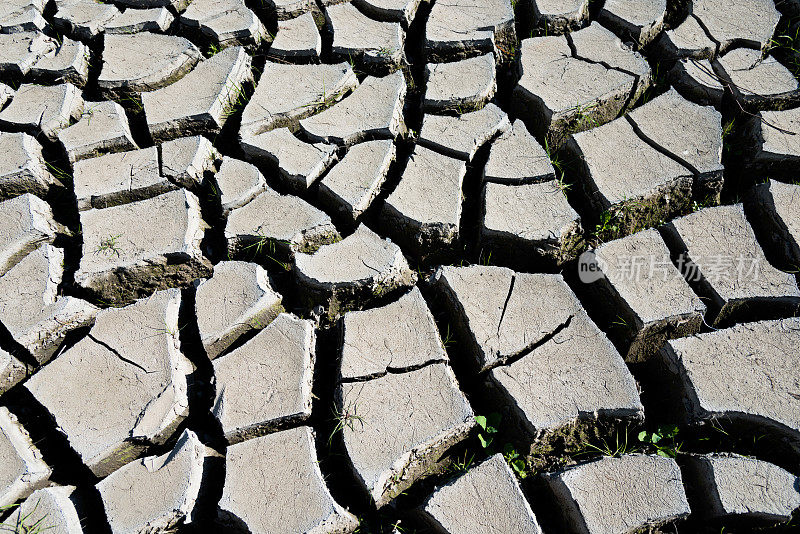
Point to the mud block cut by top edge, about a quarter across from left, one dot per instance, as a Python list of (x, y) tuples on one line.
[(224, 22)]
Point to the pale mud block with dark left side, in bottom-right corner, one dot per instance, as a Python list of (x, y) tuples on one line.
[(736, 486)]
